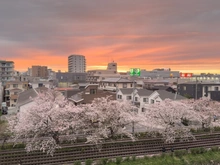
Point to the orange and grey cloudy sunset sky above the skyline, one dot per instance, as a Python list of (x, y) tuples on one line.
[(182, 35)]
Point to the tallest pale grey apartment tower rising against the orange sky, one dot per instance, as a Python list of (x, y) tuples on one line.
[(76, 64)]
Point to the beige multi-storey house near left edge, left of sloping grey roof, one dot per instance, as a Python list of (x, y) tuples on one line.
[(12, 90)]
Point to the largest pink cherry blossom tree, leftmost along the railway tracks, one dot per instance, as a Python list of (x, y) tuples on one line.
[(42, 125)]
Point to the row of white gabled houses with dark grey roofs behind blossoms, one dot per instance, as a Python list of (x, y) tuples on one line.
[(141, 97)]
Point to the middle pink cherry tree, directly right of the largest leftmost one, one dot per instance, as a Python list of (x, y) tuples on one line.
[(105, 118)]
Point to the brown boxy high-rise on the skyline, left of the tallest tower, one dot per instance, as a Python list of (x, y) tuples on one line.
[(39, 71)]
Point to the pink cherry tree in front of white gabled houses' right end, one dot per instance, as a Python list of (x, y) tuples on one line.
[(170, 118)]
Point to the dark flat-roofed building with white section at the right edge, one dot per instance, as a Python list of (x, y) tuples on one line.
[(200, 89)]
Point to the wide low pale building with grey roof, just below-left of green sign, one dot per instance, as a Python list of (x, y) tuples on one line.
[(112, 84)]
